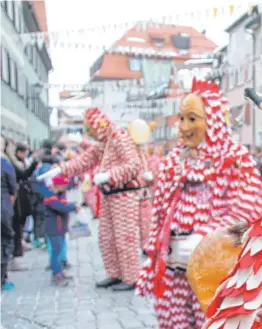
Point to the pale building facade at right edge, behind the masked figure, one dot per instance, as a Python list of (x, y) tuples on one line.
[(239, 74)]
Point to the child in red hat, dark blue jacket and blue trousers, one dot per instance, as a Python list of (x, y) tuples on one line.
[(56, 213)]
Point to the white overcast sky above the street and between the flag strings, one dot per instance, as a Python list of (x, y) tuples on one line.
[(72, 65)]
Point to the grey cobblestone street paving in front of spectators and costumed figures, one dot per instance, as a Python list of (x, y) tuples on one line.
[(35, 304)]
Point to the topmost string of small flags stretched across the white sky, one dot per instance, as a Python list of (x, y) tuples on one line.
[(67, 38)]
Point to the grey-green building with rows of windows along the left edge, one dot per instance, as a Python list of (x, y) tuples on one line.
[(24, 70)]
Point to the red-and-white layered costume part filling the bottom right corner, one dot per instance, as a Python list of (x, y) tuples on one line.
[(238, 301)]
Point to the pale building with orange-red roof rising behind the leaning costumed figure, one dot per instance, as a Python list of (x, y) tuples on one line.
[(153, 55)]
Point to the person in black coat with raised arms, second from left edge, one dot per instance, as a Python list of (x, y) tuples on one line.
[(22, 208)]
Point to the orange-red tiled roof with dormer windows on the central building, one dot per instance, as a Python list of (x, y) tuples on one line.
[(116, 66)]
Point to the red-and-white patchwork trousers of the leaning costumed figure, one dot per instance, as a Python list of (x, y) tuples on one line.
[(119, 235)]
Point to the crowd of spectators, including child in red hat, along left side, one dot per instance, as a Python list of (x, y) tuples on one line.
[(34, 214)]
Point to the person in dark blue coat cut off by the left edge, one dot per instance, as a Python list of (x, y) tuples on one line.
[(8, 191)]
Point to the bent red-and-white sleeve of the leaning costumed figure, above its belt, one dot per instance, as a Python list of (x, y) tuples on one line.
[(125, 149)]
